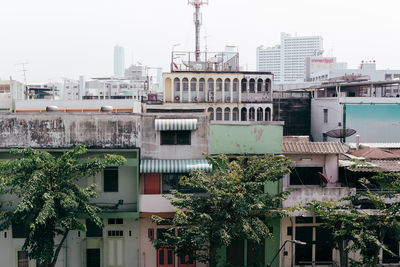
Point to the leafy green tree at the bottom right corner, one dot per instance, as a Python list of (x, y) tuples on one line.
[(361, 221)]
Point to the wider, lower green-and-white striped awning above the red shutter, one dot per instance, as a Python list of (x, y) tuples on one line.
[(174, 165)]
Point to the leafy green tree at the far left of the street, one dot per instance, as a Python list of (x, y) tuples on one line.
[(49, 200)]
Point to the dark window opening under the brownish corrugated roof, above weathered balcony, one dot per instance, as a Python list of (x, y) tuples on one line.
[(305, 176)]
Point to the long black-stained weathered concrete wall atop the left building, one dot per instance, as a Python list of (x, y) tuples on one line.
[(58, 130)]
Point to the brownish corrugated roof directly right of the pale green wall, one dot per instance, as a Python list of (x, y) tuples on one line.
[(312, 148)]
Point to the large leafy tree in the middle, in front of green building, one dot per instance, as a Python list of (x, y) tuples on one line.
[(232, 205)]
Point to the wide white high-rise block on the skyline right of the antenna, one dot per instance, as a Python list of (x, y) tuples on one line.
[(286, 60)]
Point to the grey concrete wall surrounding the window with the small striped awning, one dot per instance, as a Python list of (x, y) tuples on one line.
[(151, 148)]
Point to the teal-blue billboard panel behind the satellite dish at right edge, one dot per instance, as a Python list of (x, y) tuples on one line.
[(374, 122)]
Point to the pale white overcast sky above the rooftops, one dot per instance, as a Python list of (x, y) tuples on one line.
[(68, 38)]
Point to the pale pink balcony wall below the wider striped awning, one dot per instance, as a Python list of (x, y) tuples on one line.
[(154, 204)]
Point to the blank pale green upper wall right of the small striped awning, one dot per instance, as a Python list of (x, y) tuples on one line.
[(245, 139)]
